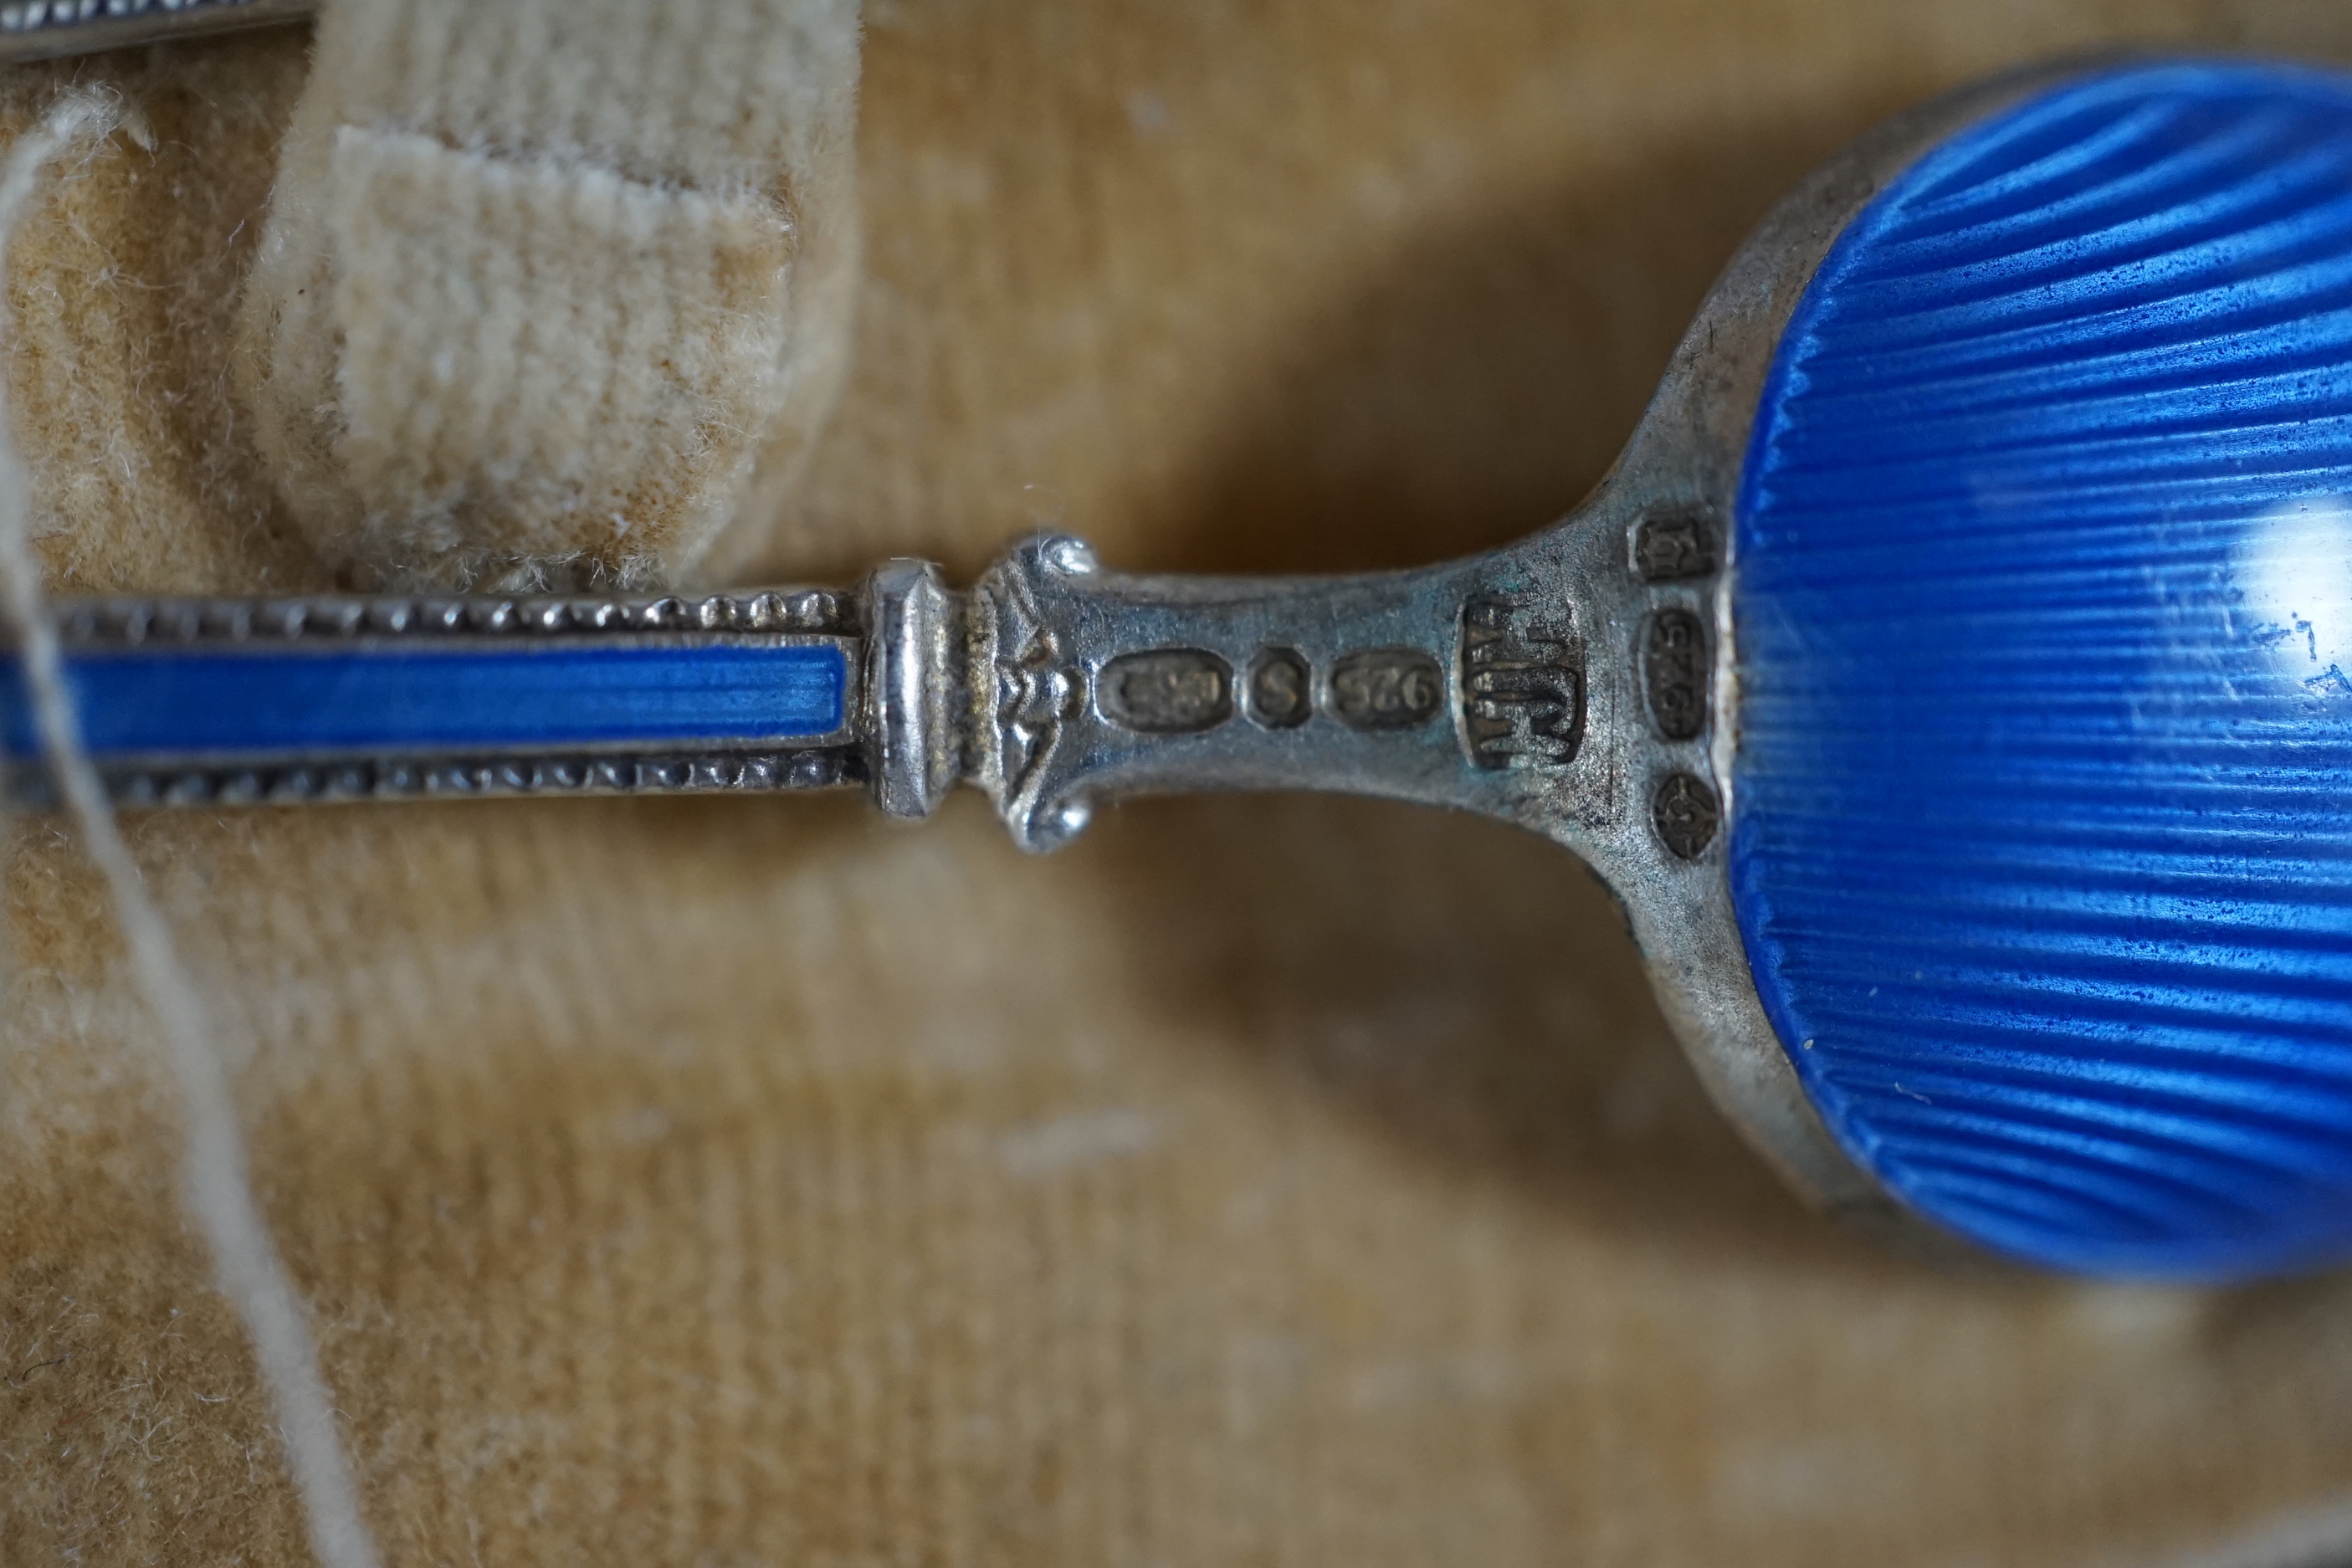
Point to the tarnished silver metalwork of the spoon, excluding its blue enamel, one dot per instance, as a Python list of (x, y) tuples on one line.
[(1582, 683)]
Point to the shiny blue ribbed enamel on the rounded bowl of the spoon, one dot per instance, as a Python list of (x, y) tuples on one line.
[(2043, 796)]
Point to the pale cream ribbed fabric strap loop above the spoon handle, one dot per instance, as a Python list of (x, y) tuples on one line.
[(549, 286)]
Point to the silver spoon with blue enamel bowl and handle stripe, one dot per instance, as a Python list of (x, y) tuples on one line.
[(1953, 678)]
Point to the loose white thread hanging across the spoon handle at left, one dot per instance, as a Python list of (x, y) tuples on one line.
[(213, 1165)]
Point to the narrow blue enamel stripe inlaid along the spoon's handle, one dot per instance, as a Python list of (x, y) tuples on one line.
[(382, 702)]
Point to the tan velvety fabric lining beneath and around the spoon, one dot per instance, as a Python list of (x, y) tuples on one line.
[(1259, 1181)]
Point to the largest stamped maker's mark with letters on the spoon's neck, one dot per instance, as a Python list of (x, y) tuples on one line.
[(1523, 685)]
